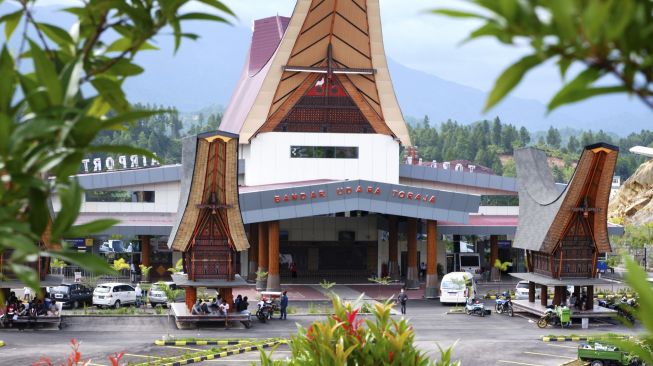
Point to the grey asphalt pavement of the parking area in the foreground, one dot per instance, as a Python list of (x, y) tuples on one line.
[(492, 340)]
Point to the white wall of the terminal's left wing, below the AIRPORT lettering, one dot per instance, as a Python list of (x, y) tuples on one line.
[(166, 199)]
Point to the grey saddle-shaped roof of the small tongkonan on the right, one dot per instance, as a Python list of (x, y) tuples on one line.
[(545, 213)]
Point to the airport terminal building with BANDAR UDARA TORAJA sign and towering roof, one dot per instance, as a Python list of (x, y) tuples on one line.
[(321, 178)]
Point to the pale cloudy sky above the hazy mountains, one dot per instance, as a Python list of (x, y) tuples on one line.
[(431, 43)]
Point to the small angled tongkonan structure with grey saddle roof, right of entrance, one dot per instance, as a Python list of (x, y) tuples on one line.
[(564, 228)]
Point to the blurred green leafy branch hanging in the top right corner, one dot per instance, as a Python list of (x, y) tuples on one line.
[(600, 37)]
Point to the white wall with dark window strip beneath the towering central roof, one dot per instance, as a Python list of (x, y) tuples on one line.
[(268, 158)]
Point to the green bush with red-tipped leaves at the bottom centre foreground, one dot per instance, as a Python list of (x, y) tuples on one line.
[(343, 339)]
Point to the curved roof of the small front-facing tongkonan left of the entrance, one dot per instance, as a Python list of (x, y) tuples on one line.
[(209, 186)]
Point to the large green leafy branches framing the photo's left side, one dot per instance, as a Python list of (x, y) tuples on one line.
[(58, 91)]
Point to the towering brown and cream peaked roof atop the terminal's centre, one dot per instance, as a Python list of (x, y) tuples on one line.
[(326, 41)]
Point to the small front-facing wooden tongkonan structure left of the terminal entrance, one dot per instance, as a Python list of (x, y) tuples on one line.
[(209, 231)]
